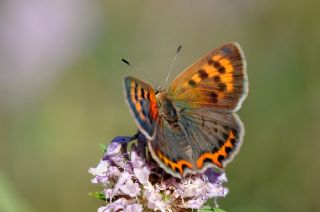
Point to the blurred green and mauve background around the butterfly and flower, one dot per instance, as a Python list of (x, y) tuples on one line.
[(61, 93)]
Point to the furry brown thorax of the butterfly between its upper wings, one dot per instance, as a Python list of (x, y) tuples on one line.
[(167, 110)]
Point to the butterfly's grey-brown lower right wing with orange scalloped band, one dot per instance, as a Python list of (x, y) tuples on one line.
[(215, 137)]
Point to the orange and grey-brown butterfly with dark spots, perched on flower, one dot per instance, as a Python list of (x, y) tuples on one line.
[(193, 125)]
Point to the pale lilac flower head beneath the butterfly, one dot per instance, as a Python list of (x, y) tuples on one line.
[(132, 181)]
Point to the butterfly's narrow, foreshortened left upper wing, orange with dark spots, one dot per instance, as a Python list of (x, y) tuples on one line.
[(141, 99)]
